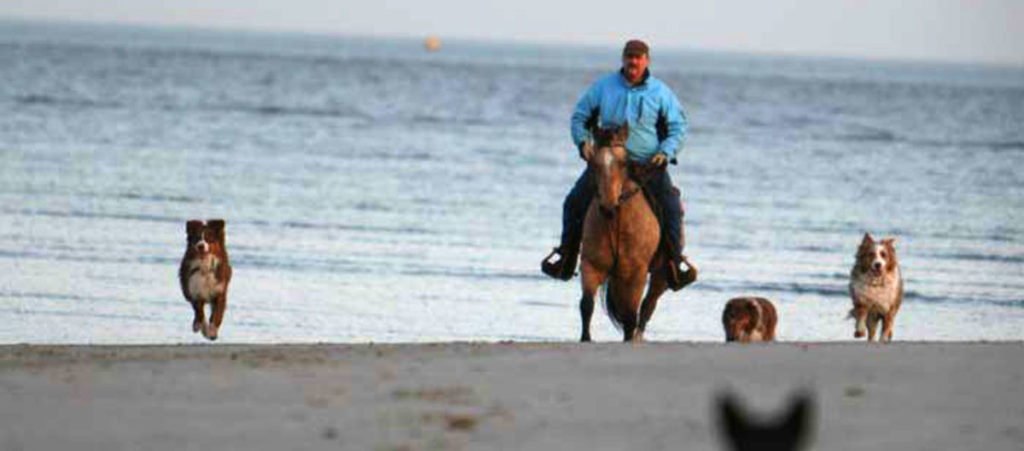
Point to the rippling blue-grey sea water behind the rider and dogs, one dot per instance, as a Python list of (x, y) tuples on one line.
[(375, 192)]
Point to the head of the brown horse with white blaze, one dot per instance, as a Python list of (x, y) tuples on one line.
[(609, 167)]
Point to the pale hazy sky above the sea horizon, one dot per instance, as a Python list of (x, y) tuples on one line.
[(979, 31)]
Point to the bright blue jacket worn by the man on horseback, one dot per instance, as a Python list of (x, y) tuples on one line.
[(657, 120)]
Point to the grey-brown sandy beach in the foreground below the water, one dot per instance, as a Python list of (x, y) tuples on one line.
[(502, 396)]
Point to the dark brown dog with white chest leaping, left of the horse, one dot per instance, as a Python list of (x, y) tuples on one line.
[(205, 274)]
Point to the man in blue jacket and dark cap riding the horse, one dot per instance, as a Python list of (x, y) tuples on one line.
[(657, 128)]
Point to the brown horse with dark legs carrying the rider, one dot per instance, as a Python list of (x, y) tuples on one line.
[(621, 237)]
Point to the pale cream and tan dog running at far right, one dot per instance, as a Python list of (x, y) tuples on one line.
[(876, 288)]
